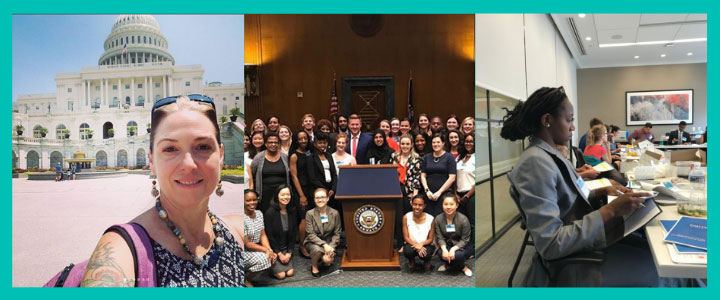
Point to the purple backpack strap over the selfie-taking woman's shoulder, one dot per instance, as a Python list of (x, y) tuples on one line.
[(143, 255)]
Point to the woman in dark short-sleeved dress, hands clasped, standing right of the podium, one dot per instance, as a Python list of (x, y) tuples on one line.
[(438, 173)]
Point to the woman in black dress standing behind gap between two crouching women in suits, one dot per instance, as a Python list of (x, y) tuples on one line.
[(302, 188)]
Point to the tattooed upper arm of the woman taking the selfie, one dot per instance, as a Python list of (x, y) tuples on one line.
[(104, 271)]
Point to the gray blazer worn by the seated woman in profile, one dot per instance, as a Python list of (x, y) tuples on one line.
[(561, 220)]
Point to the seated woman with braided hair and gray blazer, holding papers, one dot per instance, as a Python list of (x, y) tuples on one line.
[(563, 217)]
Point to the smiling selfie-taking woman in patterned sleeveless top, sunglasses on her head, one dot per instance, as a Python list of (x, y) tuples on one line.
[(191, 246)]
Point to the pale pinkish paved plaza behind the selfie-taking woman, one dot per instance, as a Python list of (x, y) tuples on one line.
[(57, 223)]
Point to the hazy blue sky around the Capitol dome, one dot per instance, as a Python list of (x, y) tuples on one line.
[(44, 45)]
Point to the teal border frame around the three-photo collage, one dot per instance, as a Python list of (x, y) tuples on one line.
[(322, 7)]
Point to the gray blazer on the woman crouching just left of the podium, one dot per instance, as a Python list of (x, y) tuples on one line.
[(314, 229)]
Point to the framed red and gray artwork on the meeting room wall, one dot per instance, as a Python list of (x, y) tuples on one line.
[(659, 107)]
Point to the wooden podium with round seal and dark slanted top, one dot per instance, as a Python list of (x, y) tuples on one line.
[(368, 195)]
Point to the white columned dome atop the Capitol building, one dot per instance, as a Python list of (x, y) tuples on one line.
[(141, 39)]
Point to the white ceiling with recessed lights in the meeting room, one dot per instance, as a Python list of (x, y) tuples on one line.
[(633, 28)]
